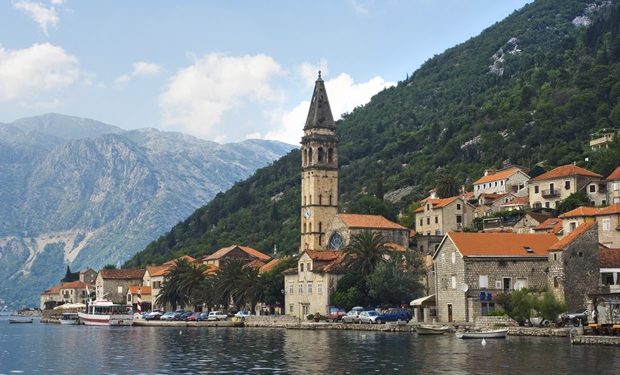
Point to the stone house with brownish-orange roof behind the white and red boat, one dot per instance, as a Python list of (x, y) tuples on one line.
[(112, 284)]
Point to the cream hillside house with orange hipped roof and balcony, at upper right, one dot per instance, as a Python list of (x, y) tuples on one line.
[(549, 189)]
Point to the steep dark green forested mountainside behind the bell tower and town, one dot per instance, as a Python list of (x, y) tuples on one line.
[(529, 89)]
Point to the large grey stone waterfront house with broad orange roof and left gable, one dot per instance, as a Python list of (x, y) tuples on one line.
[(471, 269)]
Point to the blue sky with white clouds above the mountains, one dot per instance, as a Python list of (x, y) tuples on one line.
[(219, 70)]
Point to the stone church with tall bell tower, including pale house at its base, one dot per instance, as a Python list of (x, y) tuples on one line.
[(325, 232)]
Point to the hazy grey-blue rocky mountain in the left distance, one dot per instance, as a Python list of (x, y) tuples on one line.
[(80, 192)]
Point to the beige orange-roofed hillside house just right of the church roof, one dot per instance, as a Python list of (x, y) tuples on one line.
[(438, 216)]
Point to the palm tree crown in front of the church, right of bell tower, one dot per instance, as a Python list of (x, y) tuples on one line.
[(365, 251)]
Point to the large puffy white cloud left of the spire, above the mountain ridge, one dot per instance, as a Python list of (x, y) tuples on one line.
[(199, 95)]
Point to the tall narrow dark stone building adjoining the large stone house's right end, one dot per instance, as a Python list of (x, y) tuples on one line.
[(574, 266)]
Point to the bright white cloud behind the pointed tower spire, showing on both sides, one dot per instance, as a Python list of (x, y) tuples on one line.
[(343, 94)]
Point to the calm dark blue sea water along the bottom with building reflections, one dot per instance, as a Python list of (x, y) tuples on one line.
[(48, 348)]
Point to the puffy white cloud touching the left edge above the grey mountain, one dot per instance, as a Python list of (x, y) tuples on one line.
[(30, 71)]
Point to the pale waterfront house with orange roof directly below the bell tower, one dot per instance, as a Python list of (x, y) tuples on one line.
[(309, 285)]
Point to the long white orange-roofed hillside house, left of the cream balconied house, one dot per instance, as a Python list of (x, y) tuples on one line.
[(508, 180)]
